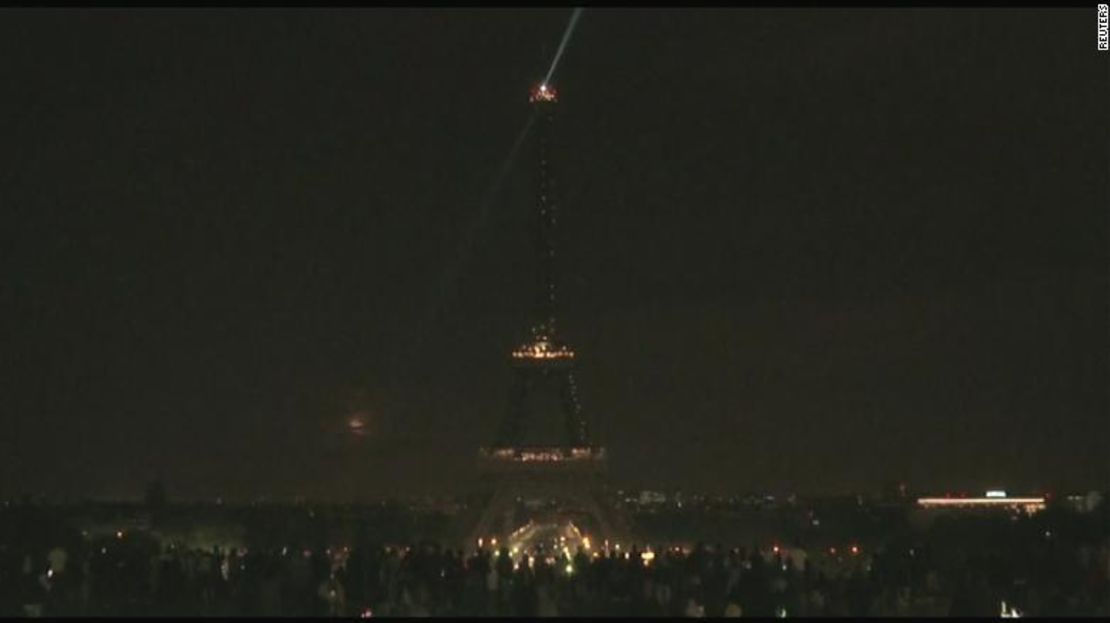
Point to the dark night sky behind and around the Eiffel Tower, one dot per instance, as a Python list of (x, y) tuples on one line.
[(802, 250)]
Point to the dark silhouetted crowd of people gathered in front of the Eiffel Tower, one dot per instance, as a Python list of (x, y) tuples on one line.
[(128, 576)]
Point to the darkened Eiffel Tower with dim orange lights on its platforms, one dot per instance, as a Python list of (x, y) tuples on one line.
[(566, 475)]
